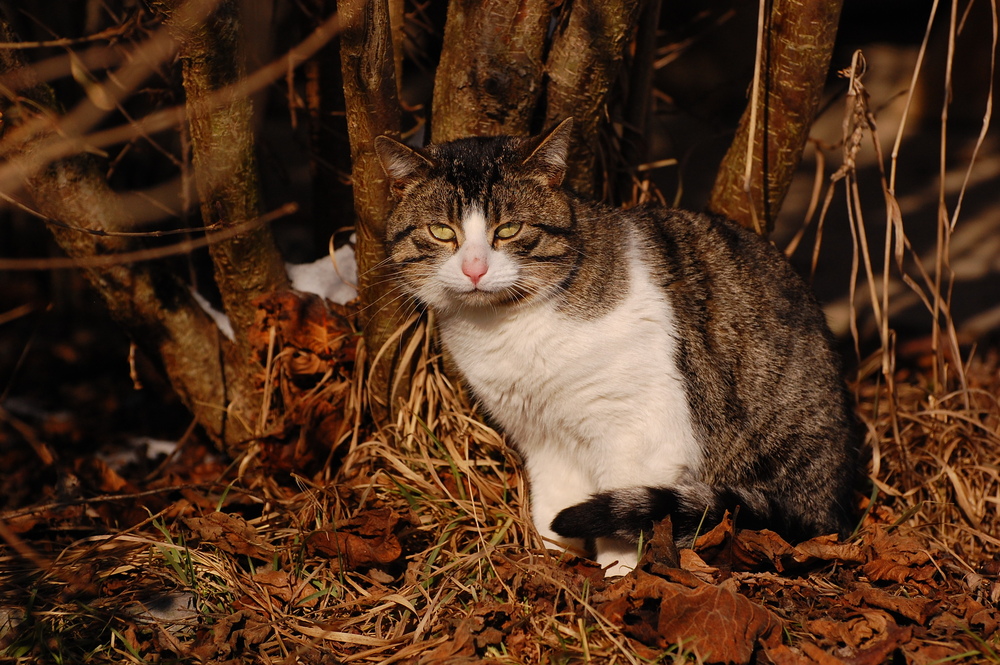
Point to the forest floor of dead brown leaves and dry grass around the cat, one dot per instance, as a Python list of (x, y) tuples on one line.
[(127, 538)]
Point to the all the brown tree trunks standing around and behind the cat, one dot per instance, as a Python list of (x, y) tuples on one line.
[(505, 67)]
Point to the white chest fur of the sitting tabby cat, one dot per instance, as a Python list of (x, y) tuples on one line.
[(600, 400)]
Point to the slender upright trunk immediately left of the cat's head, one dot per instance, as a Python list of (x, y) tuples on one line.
[(372, 109)]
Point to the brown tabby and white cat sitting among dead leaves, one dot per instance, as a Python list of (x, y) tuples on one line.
[(643, 362)]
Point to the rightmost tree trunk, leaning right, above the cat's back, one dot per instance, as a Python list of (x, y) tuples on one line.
[(798, 43)]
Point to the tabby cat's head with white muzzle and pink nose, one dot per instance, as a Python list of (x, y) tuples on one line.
[(480, 222)]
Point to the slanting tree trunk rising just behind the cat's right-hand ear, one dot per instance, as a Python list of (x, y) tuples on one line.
[(585, 59)]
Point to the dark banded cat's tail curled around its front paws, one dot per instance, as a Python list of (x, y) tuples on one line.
[(626, 513)]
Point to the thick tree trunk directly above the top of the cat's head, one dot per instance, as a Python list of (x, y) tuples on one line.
[(491, 84)]
